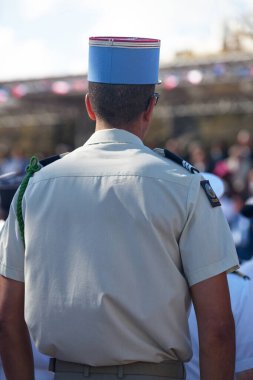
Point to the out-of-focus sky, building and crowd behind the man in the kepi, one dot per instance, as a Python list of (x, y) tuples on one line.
[(205, 112)]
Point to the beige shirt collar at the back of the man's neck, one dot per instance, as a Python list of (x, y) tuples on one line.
[(113, 136)]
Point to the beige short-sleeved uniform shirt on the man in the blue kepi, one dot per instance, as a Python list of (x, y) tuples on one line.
[(114, 235)]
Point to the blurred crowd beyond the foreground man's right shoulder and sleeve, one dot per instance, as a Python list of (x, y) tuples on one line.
[(234, 165)]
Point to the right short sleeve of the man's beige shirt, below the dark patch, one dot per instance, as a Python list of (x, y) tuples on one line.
[(206, 243)]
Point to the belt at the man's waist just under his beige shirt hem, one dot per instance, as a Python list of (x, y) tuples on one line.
[(172, 369)]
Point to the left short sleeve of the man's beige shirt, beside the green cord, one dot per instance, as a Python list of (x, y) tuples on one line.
[(11, 247)]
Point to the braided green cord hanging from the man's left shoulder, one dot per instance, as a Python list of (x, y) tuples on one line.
[(32, 168)]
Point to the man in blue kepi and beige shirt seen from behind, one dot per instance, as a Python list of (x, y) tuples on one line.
[(118, 239)]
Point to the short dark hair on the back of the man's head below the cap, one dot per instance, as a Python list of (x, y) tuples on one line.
[(118, 104)]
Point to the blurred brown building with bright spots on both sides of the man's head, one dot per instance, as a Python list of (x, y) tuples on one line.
[(206, 98)]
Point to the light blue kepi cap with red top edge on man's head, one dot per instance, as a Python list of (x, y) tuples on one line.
[(123, 60)]
